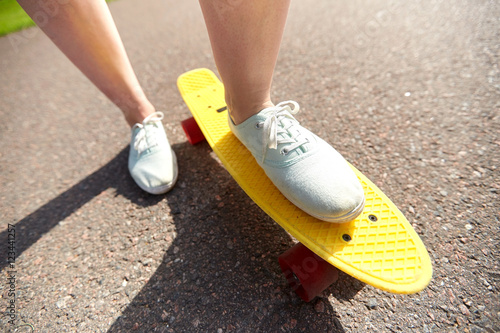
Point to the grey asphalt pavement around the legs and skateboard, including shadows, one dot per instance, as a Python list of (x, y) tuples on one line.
[(409, 93)]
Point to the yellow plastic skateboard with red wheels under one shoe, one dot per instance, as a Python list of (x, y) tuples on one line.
[(379, 247)]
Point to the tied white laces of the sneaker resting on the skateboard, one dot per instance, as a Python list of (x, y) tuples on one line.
[(275, 124)]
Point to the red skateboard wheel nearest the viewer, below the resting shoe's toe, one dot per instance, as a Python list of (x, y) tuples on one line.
[(306, 272)]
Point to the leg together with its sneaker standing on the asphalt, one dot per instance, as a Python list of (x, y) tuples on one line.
[(86, 33)]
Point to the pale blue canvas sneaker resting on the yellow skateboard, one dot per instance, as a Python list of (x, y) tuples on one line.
[(306, 169)]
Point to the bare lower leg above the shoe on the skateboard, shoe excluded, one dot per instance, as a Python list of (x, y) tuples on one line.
[(245, 37)]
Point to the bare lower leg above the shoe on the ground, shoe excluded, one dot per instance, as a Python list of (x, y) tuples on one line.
[(85, 32)]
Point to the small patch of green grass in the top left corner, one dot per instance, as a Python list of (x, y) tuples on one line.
[(13, 17)]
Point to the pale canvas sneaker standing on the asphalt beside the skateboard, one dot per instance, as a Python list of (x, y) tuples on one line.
[(152, 162)]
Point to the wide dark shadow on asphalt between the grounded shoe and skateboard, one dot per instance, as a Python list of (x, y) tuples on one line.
[(221, 271)]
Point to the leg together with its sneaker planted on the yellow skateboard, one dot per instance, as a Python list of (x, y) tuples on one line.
[(245, 37)]
